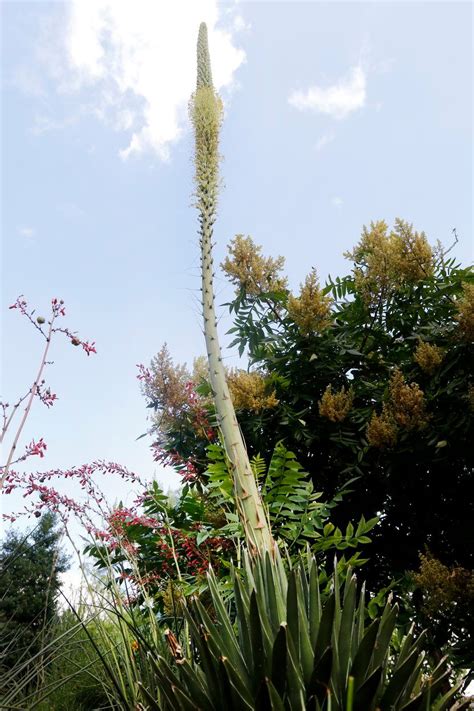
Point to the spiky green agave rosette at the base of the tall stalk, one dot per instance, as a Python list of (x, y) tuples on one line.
[(278, 646)]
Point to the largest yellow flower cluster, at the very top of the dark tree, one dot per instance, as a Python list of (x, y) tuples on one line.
[(385, 260)]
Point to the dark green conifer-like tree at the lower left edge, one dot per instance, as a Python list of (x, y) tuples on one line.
[(30, 566)]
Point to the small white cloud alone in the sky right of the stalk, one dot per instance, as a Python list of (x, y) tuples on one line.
[(338, 100)]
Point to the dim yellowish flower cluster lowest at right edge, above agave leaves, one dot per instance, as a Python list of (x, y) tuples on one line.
[(443, 586)]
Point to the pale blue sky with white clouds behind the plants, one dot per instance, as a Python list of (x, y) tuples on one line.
[(336, 114)]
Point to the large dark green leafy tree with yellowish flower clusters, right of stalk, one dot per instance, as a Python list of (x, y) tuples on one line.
[(405, 309)]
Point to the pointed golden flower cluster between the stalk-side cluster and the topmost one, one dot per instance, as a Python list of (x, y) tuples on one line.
[(311, 310)]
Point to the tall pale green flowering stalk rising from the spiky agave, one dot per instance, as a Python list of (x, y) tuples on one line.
[(206, 115)]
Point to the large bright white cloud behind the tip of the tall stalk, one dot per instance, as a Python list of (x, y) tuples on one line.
[(136, 61)]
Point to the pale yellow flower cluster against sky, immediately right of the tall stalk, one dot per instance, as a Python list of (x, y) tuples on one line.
[(248, 269)]
